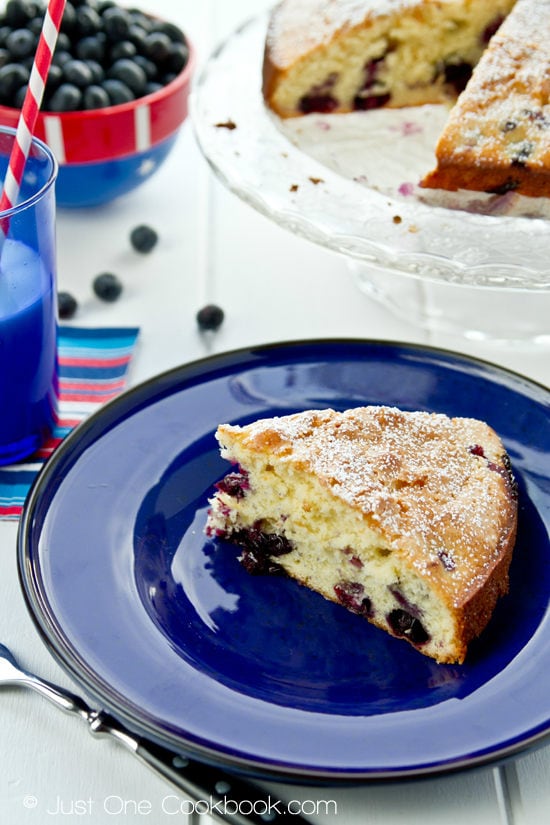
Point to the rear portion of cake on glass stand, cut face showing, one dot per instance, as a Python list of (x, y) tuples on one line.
[(345, 55)]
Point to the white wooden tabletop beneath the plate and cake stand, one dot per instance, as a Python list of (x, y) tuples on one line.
[(215, 248)]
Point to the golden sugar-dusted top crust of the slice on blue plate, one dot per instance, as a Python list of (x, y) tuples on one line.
[(423, 481)]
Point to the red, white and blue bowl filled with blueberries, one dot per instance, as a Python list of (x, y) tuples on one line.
[(116, 95)]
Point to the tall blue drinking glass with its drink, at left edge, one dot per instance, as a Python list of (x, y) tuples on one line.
[(28, 306)]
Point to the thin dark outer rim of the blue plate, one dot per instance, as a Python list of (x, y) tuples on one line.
[(271, 766)]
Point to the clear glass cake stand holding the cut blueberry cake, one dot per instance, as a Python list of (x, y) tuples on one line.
[(466, 263)]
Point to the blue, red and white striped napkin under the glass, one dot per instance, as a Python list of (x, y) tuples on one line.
[(93, 368)]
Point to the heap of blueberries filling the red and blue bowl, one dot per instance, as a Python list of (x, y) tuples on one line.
[(105, 54)]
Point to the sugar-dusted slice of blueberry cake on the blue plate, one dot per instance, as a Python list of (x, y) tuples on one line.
[(405, 518)]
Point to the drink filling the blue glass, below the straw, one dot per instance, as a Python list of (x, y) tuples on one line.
[(28, 366)]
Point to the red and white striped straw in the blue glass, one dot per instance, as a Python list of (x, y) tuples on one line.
[(31, 104)]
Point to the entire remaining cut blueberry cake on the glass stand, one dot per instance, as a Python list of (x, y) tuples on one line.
[(486, 59)]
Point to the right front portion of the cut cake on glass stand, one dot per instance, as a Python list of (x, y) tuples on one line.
[(497, 137)]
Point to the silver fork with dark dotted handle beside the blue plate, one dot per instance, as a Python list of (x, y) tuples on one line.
[(233, 799)]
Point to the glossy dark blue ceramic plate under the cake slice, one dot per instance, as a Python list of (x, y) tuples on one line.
[(165, 629)]
